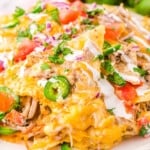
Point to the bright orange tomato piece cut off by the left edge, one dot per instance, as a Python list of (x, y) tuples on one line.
[(6, 102)]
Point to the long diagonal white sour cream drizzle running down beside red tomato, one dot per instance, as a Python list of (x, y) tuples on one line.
[(110, 99)]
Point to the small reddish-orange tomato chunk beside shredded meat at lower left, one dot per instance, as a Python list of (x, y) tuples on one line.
[(15, 117)]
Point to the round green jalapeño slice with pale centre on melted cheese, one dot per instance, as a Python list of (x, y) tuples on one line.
[(57, 87)]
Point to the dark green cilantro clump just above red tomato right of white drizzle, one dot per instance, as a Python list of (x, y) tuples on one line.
[(116, 79)]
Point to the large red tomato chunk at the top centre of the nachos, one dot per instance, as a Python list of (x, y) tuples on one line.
[(71, 14)]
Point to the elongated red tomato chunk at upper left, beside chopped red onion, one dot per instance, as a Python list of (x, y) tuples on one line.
[(25, 48)]
